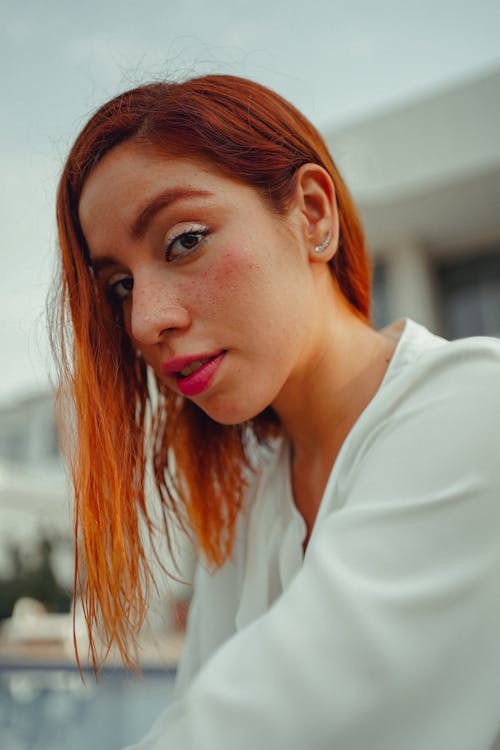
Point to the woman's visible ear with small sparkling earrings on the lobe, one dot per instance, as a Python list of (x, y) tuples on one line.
[(317, 206)]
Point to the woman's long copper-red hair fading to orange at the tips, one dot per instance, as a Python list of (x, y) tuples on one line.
[(124, 422)]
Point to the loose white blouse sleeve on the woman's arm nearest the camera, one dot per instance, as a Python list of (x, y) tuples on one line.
[(389, 636)]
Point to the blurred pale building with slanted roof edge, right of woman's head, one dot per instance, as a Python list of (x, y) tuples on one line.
[(426, 176)]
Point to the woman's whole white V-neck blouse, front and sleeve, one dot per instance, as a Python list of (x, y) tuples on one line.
[(386, 636)]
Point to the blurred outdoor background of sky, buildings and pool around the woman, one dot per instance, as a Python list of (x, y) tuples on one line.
[(407, 95)]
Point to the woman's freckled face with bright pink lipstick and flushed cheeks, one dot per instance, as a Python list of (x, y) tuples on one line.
[(216, 288)]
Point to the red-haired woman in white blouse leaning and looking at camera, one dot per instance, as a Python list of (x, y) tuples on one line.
[(340, 483)]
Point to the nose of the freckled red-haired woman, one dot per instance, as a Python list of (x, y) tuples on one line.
[(154, 311)]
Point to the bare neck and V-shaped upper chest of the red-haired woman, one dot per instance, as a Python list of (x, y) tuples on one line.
[(321, 403)]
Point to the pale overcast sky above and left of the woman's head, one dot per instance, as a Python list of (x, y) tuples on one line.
[(60, 59)]
